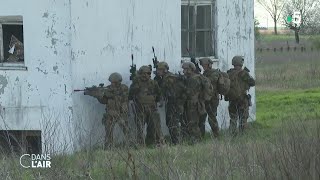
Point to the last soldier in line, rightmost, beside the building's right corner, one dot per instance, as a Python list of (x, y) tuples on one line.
[(241, 81)]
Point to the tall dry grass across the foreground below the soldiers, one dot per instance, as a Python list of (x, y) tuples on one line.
[(293, 152)]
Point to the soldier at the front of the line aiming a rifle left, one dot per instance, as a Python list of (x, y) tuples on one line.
[(115, 97)]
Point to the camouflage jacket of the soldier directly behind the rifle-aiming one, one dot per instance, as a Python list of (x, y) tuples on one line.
[(144, 92)]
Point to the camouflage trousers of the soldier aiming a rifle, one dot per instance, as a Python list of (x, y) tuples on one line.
[(109, 122)]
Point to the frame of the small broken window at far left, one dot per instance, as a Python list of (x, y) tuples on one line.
[(10, 20)]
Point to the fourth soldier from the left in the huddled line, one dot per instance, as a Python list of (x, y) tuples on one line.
[(194, 107)]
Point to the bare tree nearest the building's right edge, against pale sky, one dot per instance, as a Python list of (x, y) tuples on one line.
[(274, 8)]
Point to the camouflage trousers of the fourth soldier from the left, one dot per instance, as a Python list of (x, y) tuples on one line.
[(190, 123)]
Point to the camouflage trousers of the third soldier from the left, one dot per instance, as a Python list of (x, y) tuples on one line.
[(173, 117)]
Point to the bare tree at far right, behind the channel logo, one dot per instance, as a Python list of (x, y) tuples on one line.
[(309, 10)]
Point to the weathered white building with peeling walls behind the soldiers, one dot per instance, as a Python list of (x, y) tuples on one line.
[(57, 46)]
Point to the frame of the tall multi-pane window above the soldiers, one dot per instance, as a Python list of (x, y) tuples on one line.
[(195, 4)]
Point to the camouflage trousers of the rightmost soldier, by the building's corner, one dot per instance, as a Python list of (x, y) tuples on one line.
[(238, 110)]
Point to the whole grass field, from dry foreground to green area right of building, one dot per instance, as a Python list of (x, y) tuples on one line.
[(283, 143)]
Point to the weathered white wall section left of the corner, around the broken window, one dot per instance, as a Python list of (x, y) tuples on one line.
[(38, 98)]
